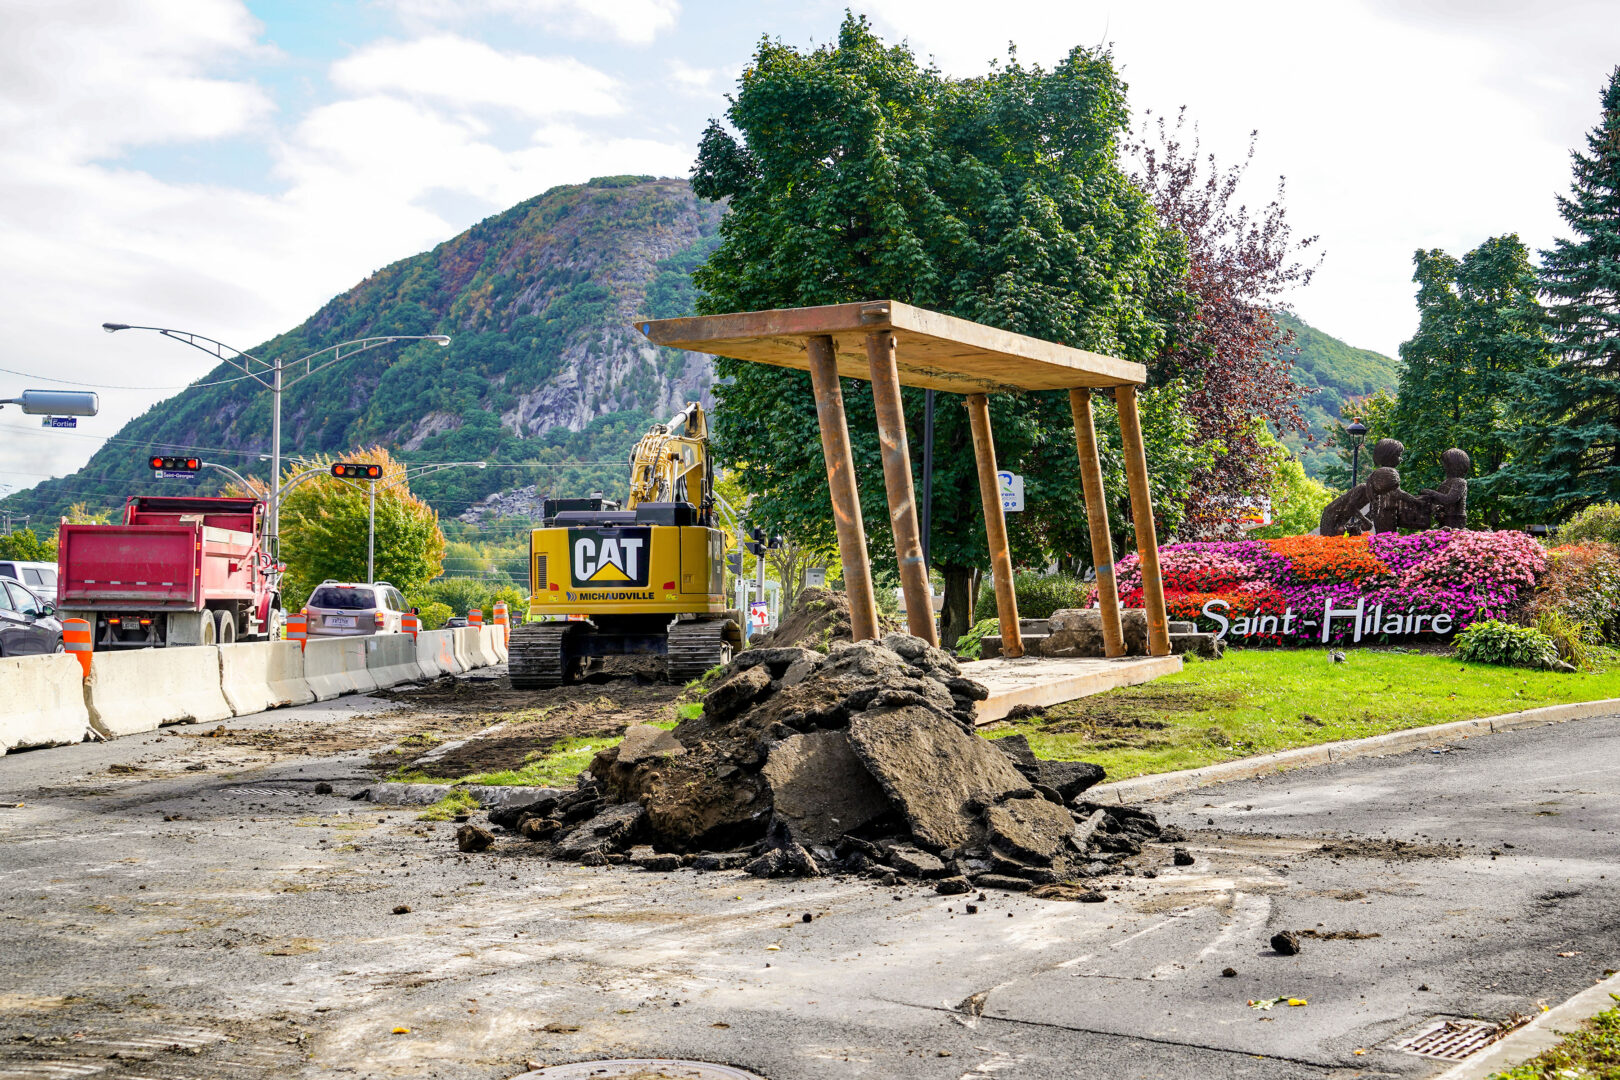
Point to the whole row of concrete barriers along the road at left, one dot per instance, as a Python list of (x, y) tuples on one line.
[(72, 697)]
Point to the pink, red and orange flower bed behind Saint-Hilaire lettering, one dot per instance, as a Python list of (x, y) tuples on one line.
[(1305, 590)]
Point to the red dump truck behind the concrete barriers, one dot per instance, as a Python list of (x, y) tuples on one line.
[(179, 571)]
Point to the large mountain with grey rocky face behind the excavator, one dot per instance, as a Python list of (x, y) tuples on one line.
[(544, 367)]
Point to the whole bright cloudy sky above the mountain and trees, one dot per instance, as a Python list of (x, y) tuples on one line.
[(228, 166)]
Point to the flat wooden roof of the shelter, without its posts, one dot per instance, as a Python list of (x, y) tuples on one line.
[(932, 351)]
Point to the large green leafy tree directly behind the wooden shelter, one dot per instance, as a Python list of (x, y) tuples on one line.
[(858, 174)]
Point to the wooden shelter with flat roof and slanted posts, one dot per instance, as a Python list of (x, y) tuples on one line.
[(893, 346)]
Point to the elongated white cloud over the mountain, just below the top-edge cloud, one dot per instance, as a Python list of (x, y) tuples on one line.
[(467, 74)]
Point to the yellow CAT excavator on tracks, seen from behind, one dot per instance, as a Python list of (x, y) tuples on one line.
[(642, 580)]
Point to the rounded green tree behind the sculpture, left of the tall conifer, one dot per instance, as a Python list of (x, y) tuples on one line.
[(1481, 331)]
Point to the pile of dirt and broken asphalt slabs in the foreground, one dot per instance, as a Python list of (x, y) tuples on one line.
[(861, 760)]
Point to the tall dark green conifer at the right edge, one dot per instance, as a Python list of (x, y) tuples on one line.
[(1569, 454)]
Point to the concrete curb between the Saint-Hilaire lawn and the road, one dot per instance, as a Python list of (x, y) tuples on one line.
[(1159, 786)]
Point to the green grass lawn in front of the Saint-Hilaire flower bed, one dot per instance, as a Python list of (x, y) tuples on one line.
[(1261, 700)]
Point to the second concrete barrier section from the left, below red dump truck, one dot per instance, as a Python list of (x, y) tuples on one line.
[(140, 691)]
